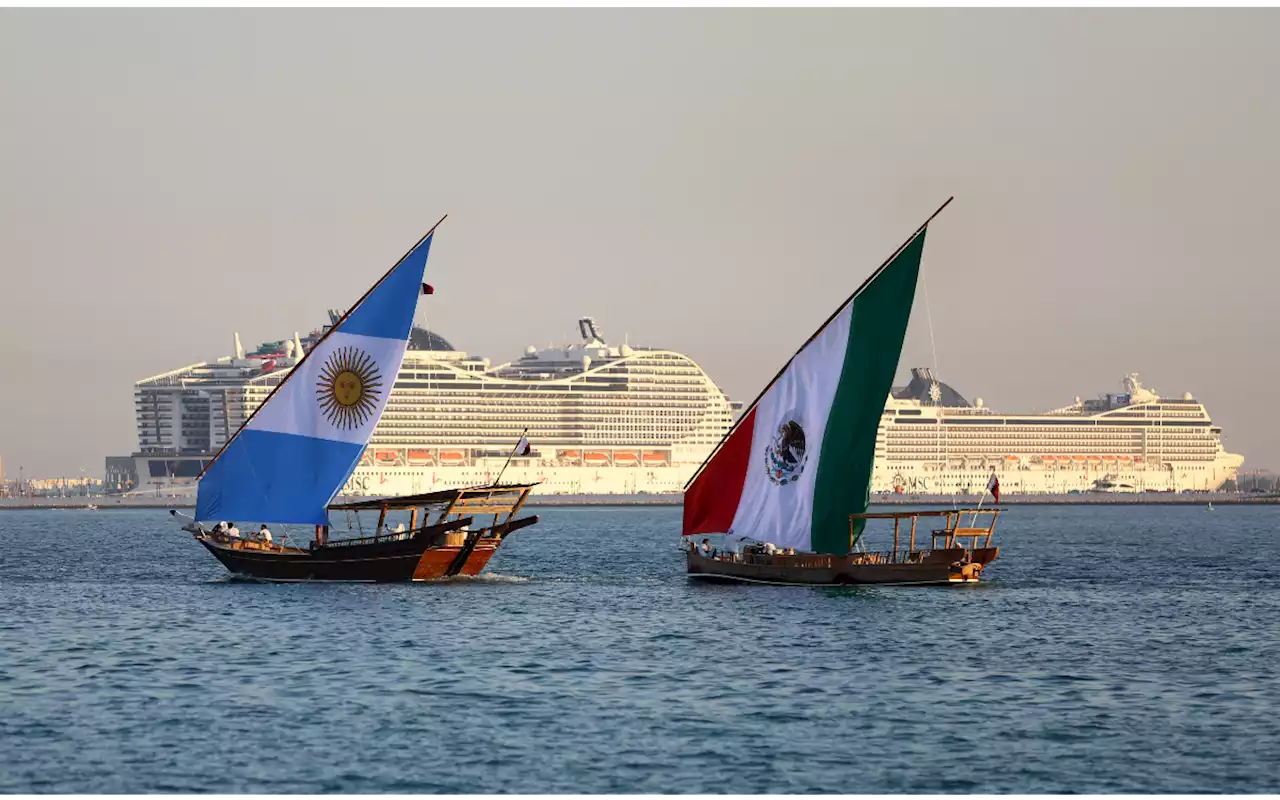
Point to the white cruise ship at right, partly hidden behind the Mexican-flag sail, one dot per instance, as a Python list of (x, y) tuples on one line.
[(934, 442)]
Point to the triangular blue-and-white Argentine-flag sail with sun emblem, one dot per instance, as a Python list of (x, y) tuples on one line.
[(292, 456)]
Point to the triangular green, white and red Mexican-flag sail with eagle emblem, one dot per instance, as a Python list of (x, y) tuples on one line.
[(799, 461)]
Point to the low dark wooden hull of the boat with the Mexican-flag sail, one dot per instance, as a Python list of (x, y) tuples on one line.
[(927, 568)]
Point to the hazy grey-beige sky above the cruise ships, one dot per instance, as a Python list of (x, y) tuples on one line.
[(710, 181)]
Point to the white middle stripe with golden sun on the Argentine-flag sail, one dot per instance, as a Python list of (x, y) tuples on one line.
[(341, 392)]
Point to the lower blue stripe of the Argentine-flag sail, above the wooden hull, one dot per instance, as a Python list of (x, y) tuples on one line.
[(277, 478)]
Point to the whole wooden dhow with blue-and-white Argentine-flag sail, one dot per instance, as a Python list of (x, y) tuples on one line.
[(290, 459)]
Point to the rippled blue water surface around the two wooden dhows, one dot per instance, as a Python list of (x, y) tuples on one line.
[(1114, 650)]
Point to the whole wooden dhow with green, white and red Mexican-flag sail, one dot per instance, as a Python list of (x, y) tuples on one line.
[(792, 479)]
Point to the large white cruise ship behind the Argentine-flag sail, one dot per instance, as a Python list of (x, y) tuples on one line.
[(601, 419)]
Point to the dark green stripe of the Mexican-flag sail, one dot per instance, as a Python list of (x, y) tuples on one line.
[(876, 333)]
